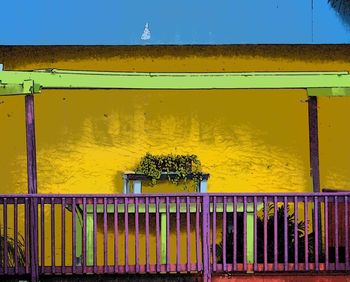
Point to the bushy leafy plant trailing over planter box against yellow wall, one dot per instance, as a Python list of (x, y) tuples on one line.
[(176, 167)]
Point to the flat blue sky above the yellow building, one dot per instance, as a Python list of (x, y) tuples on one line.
[(121, 22)]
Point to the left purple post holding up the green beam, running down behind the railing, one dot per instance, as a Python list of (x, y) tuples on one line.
[(32, 183)]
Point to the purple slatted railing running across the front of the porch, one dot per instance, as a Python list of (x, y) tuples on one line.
[(174, 233)]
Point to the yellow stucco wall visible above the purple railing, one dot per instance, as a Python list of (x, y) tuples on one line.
[(248, 140)]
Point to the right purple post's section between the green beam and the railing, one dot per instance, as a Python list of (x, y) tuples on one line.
[(313, 142)]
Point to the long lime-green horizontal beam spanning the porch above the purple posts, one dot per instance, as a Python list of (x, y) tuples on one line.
[(13, 82)]
